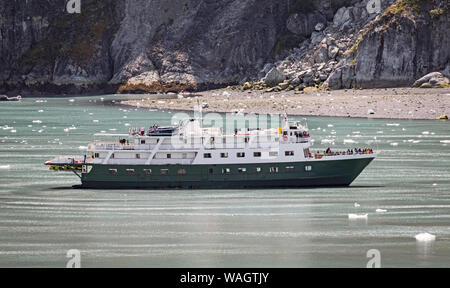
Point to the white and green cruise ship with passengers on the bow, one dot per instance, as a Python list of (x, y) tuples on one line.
[(189, 156)]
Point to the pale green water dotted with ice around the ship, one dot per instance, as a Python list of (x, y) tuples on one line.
[(42, 217)]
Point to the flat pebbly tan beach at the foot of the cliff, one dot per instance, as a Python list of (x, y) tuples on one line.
[(385, 103)]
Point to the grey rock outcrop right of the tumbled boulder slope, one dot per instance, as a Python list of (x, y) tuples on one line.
[(396, 50)]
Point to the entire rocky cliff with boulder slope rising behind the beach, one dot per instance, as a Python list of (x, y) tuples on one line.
[(158, 45)]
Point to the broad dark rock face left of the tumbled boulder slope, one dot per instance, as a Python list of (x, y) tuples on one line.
[(153, 45)]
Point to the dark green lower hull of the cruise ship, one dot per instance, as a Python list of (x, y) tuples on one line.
[(323, 173)]
